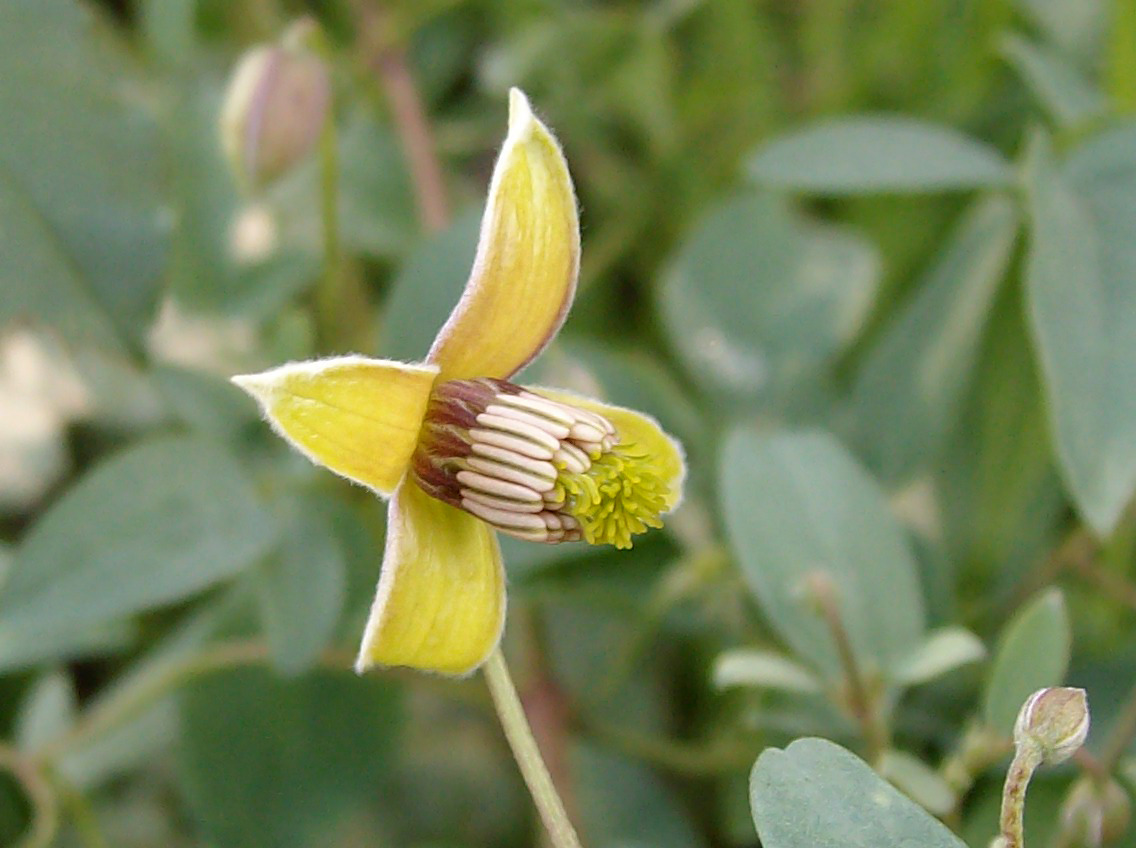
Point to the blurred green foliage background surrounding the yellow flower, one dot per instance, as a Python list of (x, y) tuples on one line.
[(874, 263)]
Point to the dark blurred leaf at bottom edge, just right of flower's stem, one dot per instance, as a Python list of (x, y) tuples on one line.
[(623, 805)]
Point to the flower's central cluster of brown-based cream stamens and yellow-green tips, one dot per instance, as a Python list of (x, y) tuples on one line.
[(537, 469)]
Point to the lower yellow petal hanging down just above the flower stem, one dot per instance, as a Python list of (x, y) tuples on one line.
[(440, 603)]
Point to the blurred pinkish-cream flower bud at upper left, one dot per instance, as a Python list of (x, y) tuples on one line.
[(275, 110)]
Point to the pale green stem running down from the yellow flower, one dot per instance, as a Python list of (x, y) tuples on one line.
[(528, 755)]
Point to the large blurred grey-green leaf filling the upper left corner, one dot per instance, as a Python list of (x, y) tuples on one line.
[(82, 236)]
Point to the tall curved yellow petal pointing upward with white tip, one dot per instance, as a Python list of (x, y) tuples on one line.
[(524, 276)]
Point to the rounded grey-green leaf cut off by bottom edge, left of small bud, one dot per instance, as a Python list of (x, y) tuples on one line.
[(817, 795)]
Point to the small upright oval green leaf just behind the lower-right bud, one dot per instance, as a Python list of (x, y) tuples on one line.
[(1033, 653)]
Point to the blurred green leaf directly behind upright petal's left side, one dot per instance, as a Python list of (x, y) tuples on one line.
[(428, 288)]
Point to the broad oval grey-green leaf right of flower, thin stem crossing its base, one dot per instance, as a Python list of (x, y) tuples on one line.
[(798, 505)]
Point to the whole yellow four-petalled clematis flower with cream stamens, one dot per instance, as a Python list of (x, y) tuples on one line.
[(460, 450)]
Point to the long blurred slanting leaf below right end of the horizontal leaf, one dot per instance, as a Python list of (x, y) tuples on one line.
[(909, 390)]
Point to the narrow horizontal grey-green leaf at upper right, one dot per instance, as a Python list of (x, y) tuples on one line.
[(882, 154)]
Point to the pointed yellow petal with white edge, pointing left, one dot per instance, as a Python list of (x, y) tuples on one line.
[(357, 417)]
